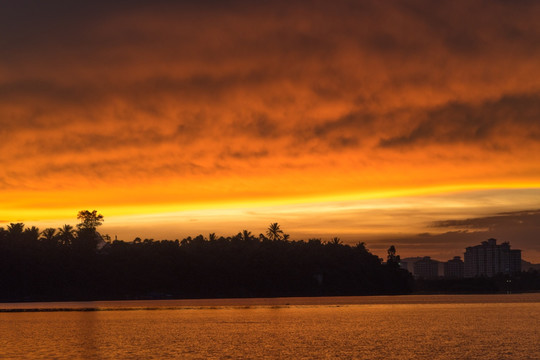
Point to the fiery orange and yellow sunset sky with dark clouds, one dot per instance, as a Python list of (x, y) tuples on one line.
[(408, 123)]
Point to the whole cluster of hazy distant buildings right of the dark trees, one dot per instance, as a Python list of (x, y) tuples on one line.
[(486, 259)]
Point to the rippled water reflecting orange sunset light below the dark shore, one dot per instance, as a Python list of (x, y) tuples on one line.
[(378, 327)]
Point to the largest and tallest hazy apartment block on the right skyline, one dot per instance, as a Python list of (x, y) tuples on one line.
[(489, 259)]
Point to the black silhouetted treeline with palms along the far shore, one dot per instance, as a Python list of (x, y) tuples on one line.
[(76, 264)]
